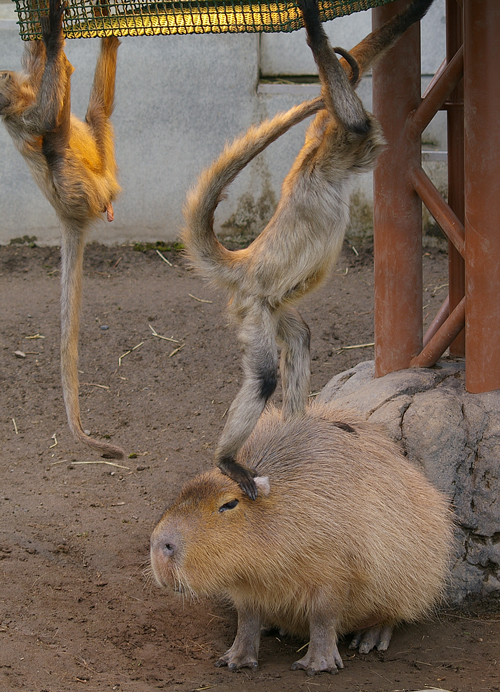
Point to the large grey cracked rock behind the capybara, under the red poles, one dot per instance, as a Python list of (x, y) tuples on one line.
[(454, 437)]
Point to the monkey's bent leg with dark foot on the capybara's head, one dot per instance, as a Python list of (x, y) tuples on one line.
[(260, 369)]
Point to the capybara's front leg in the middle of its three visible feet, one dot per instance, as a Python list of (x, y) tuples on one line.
[(322, 653)]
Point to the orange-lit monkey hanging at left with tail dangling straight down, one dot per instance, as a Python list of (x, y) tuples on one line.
[(73, 164)]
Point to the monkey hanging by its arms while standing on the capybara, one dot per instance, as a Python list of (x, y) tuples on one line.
[(301, 242)]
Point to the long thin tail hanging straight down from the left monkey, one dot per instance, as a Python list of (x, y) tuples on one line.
[(72, 247)]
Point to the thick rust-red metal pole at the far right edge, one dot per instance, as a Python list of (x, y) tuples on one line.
[(482, 193)]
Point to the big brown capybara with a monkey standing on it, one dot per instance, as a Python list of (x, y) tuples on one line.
[(346, 536)]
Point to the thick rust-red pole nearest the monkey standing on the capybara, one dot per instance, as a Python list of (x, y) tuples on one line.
[(397, 207)]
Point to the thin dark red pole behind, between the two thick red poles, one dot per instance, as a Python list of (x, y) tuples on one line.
[(455, 118)]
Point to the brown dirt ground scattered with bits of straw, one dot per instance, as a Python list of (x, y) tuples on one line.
[(77, 611)]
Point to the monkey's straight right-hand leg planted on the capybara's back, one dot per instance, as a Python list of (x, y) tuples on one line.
[(295, 363)]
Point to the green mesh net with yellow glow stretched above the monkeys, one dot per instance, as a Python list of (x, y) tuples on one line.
[(91, 18)]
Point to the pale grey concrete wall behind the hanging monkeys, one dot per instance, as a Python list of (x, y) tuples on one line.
[(178, 100)]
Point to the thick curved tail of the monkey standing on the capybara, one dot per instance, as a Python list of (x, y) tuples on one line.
[(206, 253)]
